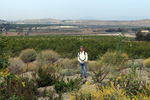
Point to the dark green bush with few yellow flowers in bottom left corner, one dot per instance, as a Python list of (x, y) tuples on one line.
[(19, 88)]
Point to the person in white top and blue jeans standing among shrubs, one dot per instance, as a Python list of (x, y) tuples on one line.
[(82, 58)]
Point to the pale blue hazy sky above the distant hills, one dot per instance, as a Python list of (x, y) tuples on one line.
[(75, 9)]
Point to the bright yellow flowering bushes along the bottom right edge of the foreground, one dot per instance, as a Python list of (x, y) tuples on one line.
[(109, 92)]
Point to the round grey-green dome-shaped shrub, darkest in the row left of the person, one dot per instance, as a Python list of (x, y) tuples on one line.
[(28, 55)]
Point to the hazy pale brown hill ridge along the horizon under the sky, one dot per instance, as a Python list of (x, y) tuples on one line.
[(142, 23)]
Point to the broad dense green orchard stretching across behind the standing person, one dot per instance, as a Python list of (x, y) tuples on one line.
[(68, 46)]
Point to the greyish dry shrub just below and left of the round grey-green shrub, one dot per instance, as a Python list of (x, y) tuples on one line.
[(15, 65)]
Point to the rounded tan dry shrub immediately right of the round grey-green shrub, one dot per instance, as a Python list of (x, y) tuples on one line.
[(48, 57)]
